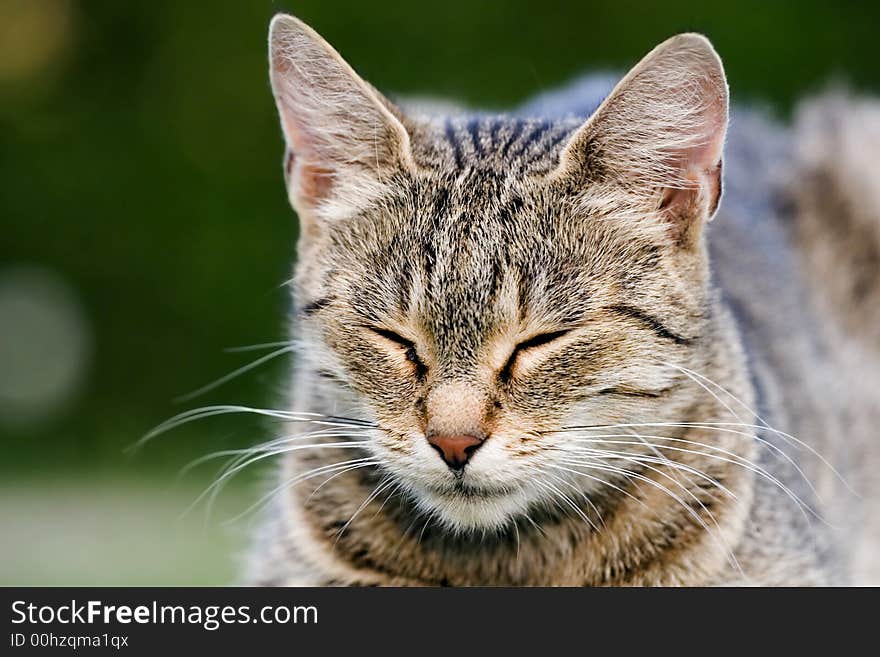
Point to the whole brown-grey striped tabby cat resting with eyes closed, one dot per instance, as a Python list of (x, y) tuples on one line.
[(524, 357)]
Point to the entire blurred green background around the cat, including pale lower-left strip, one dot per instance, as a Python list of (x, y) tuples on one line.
[(145, 228)]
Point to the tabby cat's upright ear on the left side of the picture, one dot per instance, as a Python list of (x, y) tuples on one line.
[(343, 142)]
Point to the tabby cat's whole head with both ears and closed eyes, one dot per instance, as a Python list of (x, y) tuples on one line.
[(477, 285)]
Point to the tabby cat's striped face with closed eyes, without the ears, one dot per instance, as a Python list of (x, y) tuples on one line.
[(443, 314)]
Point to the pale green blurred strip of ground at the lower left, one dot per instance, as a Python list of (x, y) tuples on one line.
[(80, 530)]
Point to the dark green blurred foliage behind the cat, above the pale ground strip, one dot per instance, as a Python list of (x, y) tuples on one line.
[(140, 161)]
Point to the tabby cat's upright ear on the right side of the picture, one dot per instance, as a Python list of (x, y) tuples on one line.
[(654, 146)]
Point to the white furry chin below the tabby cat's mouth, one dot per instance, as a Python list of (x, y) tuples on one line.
[(474, 509)]
